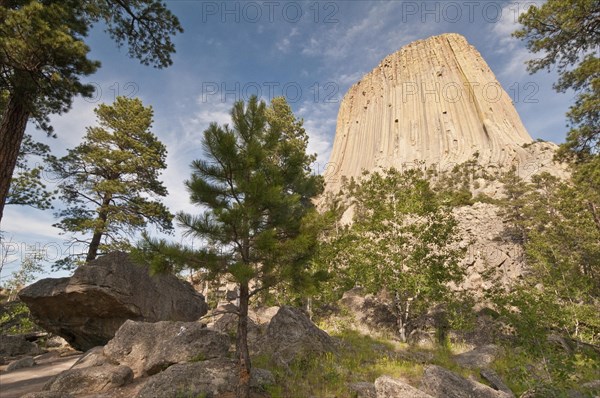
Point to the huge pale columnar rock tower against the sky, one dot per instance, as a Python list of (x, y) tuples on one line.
[(434, 101)]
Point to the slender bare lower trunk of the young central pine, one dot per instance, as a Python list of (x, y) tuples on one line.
[(242, 353)]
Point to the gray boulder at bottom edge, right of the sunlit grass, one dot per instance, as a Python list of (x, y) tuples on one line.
[(442, 383)]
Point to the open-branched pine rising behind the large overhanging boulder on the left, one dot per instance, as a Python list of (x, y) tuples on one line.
[(110, 181)]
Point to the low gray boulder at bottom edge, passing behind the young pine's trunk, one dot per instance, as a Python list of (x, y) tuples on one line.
[(206, 378)]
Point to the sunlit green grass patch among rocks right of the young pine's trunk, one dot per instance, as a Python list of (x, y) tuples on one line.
[(359, 358)]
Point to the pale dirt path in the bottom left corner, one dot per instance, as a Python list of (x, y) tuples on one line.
[(22, 381)]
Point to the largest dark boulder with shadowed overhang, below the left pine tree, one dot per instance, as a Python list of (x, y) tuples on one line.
[(88, 308)]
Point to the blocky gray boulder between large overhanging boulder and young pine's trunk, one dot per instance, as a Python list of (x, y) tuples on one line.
[(149, 348)]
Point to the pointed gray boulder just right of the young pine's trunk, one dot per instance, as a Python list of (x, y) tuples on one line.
[(291, 334)]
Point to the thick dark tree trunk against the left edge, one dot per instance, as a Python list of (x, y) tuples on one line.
[(12, 130)]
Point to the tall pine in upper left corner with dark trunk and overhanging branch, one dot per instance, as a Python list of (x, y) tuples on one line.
[(43, 57)]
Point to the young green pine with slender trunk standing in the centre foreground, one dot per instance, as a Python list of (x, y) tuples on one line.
[(255, 189)]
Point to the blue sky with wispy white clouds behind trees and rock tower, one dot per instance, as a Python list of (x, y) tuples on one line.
[(310, 51)]
